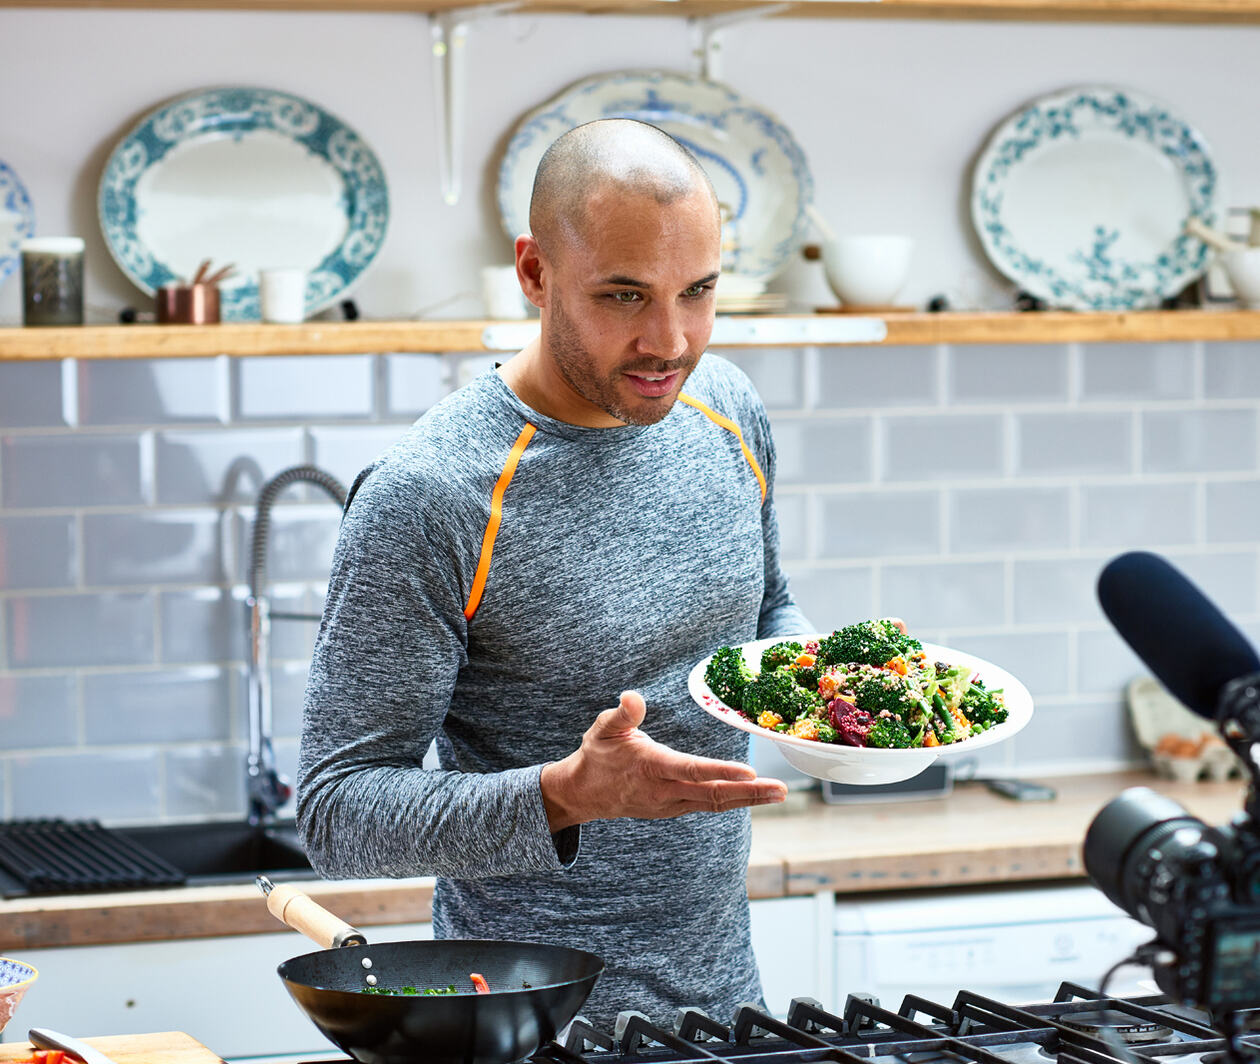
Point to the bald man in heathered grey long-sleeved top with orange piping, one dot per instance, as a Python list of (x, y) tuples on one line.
[(559, 531)]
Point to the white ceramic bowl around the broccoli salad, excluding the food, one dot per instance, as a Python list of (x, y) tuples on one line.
[(859, 765)]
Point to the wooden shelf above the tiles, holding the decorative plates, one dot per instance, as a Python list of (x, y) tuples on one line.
[(20, 345)]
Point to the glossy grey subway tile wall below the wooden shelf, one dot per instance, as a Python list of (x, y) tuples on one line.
[(973, 491)]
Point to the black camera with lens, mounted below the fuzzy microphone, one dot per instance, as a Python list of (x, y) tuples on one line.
[(1198, 887)]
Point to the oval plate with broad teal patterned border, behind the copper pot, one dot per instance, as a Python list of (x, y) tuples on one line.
[(246, 176)]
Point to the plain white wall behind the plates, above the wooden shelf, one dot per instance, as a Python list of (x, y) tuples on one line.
[(891, 115)]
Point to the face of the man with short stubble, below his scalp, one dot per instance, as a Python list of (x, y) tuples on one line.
[(629, 307)]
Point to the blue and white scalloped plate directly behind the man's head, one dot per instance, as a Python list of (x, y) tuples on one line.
[(757, 167)]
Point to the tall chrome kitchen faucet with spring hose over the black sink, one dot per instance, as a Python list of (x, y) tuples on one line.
[(265, 787)]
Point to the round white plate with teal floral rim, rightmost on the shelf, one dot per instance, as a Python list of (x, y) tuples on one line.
[(1080, 199)]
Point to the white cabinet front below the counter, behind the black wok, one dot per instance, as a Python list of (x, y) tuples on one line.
[(222, 992)]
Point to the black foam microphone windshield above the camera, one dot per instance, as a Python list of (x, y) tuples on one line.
[(1184, 640)]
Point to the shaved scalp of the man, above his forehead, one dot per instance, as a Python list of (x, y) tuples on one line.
[(619, 156)]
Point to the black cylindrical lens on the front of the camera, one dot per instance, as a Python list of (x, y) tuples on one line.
[(1135, 852)]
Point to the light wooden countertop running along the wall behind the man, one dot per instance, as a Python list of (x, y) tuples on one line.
[(968, 839)]
